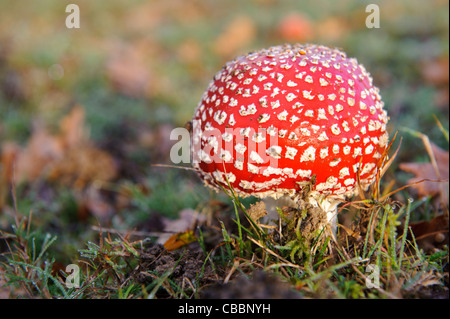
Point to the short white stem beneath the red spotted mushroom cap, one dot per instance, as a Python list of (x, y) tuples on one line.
[(328, 205)]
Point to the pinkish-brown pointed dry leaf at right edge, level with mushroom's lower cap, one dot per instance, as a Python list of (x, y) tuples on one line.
[(438, 171)]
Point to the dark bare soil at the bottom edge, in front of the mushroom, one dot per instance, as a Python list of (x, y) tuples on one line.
[(189, 265)]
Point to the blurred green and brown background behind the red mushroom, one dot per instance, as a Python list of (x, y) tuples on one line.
[(85, 112)]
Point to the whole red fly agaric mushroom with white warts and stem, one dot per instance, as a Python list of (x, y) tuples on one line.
[(302, 122)]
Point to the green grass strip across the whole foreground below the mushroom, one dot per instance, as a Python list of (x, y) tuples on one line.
[(374, 259)]
